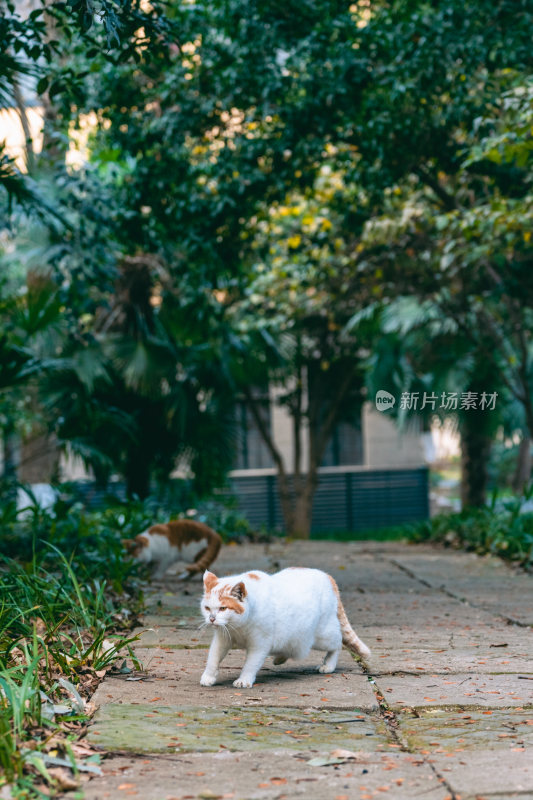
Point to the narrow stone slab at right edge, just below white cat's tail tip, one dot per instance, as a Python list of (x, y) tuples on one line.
[(462, 689)]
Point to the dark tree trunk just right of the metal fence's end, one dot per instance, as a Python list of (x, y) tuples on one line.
[(475, 451)]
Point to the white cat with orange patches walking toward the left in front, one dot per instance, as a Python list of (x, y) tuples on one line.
[(284, 615)]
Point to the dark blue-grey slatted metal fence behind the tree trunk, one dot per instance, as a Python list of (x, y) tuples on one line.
[(346, 499)]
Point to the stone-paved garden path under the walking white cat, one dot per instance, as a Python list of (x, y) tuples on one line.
[(443, 708)]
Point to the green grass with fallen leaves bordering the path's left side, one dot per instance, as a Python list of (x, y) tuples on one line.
[(63, 593)]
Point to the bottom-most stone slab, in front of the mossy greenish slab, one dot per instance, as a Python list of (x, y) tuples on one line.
[(268, 776)]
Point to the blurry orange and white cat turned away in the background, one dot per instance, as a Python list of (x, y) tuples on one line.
[(165, 543)]
